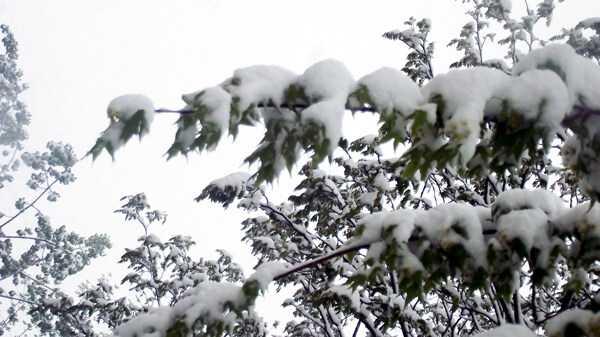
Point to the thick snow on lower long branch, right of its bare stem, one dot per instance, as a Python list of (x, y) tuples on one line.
[(517, 214)]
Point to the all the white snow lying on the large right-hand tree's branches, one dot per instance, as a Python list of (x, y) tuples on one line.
[(543, 89)]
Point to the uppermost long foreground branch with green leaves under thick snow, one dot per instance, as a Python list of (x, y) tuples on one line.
[(467, 118)]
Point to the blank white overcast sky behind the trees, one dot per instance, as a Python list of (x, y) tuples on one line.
[(77, 55)]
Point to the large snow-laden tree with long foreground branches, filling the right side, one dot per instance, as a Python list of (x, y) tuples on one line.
[(475, 226)]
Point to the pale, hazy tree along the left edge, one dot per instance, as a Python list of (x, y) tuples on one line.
[(35, 258)]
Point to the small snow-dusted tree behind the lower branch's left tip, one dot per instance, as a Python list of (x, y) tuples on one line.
[(161, 274)]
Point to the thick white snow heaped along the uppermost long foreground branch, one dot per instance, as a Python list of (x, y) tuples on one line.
[(536, 91)]
